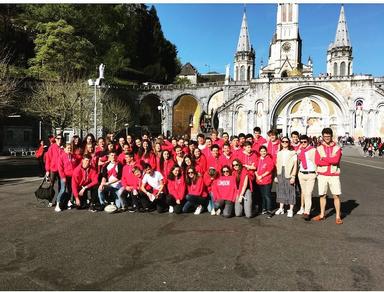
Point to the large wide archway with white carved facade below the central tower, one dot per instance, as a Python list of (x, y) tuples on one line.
[(308, 111)]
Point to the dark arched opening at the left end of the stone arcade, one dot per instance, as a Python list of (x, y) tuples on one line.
[(149, 114)]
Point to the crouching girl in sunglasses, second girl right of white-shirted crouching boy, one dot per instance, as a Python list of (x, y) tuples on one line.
[(196, 195)]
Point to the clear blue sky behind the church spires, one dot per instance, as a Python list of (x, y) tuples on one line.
[(206, 35)]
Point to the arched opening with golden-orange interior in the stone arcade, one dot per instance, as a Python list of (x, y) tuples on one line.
[(186, 116)]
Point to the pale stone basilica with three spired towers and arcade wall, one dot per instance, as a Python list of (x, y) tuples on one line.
[(285, 95)]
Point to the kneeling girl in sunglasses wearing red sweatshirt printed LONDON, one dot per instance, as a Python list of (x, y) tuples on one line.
[(224, 192)]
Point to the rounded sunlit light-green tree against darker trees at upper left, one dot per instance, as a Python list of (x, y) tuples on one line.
[(59, 52)]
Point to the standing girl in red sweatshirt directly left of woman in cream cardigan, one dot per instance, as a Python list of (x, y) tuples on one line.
[(264, 180)]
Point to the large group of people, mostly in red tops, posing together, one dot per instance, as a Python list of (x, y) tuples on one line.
[(228, 176)]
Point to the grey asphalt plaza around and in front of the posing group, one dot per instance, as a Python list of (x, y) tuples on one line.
[(80, 250)]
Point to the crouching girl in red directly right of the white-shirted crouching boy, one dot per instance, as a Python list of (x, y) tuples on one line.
[(176, 190)]
